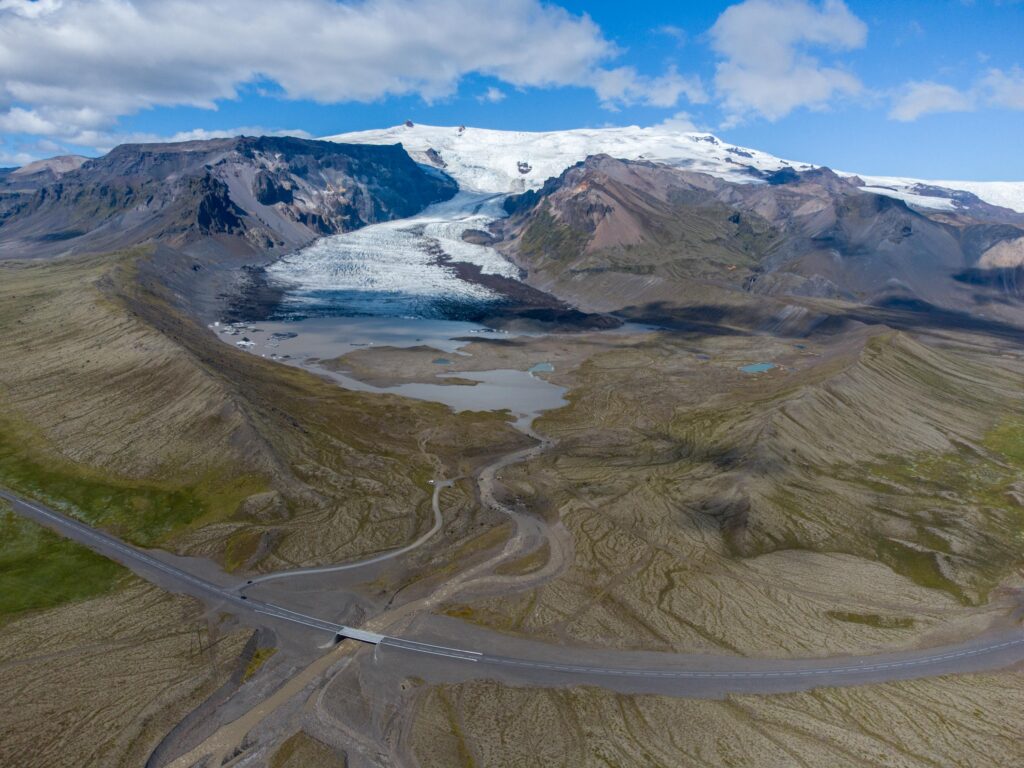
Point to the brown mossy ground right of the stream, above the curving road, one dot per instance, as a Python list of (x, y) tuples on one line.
[(715, 510)]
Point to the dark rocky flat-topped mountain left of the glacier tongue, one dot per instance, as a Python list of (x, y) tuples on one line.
[(252, 195)]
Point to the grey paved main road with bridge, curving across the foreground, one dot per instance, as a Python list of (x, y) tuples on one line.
[(621, 670)]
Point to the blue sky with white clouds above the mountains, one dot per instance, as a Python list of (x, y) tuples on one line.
[(924, 89)]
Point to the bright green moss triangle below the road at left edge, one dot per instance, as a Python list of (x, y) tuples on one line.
[(39, 570)]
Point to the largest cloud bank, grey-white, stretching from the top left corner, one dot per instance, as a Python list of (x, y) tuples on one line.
[(70, 68)]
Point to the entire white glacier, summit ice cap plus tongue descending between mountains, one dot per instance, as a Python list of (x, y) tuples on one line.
[(400, 269)]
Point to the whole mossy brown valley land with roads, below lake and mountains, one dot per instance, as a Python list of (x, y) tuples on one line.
[(682, 515)]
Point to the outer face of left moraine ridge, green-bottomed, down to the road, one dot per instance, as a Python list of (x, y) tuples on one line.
[(103, 417)]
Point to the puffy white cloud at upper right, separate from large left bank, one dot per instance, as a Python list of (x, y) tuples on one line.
[(766, 69)]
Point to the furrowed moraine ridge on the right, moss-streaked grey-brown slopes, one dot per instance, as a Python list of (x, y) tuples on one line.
[(815, 464)]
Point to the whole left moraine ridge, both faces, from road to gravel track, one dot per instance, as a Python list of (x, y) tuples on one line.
[(118, 408)]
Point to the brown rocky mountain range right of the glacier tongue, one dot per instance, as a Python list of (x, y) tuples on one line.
[(612, 234)]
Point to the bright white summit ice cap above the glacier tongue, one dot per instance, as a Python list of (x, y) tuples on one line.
[(493, 161)]
